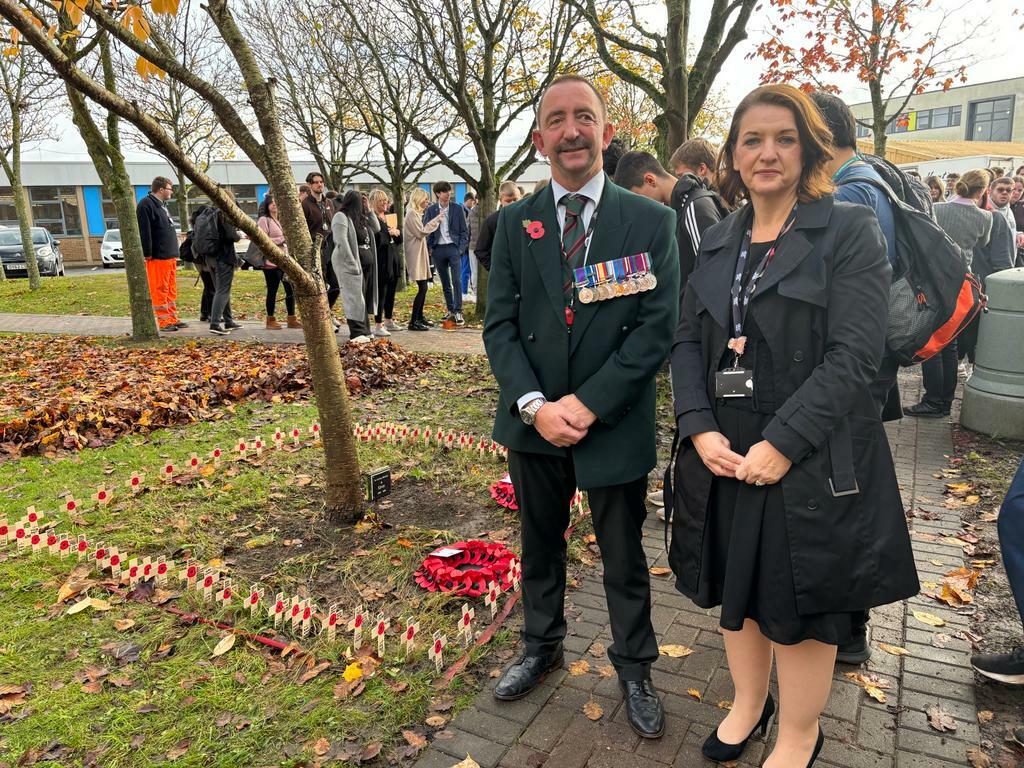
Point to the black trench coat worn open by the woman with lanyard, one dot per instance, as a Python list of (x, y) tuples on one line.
[(822, 307)]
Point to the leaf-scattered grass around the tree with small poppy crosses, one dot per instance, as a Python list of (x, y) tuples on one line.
[(137, 687)]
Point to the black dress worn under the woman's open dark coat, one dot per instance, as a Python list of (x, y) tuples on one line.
[(746, 546)]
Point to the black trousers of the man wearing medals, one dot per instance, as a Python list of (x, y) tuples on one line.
[(544, 487)]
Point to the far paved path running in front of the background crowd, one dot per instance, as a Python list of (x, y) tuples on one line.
[(465, 342)]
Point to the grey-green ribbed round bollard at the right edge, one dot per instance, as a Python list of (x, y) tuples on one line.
[(994, 397)]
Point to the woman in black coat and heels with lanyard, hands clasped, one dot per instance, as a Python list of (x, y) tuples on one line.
[(787, 511)]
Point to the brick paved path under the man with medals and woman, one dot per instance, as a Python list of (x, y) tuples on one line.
[(549, 728)]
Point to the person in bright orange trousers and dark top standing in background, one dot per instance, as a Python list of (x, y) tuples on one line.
[(160, 247)]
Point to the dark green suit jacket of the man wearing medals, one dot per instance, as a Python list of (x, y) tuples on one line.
[(616, 347)]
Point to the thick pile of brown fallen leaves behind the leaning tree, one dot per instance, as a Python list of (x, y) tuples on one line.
[(65, 394)]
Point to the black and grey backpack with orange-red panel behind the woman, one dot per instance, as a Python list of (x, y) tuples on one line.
[(933, 297)]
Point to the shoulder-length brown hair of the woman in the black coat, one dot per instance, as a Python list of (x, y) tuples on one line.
[(816, 144)]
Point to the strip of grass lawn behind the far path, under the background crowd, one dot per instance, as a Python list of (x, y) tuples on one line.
[(106, 295)]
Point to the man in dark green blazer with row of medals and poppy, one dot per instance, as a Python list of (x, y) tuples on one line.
[(583, 303)]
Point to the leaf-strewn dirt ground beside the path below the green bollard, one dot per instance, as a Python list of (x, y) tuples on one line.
[(991, 465)]
